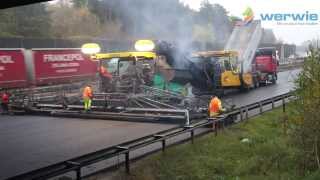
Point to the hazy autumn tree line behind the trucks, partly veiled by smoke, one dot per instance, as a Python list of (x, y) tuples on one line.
[(112, 19)]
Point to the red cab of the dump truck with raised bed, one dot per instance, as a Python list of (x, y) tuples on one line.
[(265, 65)]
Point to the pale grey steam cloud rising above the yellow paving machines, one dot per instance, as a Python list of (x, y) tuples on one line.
[(171, 21)]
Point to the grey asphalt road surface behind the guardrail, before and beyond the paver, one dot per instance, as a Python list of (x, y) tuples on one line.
[(31, 142)]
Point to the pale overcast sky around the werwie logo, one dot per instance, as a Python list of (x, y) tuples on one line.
[(289, 33)]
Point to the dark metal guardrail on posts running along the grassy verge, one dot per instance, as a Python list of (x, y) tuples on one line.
[(76, 164)]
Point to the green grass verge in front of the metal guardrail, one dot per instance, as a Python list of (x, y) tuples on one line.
[(266, 155)]
